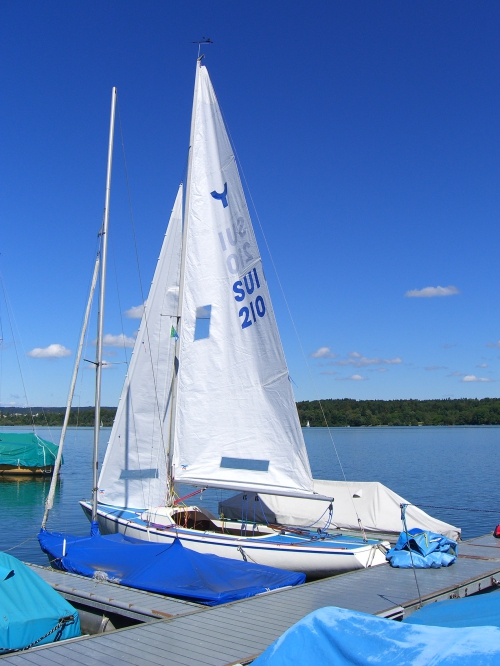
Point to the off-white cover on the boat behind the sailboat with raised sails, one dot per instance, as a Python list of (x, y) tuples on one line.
[(377, 506)]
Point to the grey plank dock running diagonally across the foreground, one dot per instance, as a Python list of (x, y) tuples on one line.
[(236, 632)]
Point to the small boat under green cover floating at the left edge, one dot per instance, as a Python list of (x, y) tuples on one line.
[(25, 453)]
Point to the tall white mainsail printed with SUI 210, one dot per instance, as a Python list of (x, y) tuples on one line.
[(236, 423)]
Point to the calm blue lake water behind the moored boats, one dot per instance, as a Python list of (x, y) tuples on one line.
[(443, 466)]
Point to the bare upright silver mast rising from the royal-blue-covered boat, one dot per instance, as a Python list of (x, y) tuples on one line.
[(100, 325)]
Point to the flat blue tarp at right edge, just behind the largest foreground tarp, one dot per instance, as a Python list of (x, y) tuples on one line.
[(477, 611)]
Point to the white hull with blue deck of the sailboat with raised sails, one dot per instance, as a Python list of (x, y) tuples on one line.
[(315, 557)]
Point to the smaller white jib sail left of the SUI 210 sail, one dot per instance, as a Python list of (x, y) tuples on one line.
[(134, 472)]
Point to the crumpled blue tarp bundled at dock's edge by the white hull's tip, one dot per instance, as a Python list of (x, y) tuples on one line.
[(428, 550)]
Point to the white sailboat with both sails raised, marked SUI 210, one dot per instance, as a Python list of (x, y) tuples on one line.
[(207, 400)]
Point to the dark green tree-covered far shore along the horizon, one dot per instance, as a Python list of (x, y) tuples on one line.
[(334, 413)]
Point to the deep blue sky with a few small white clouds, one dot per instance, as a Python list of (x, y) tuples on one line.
[(368, 132)]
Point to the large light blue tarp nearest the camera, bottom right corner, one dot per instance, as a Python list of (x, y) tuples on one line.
[(342, 637)]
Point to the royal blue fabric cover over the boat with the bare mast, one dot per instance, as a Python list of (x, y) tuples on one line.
[(164, 568)]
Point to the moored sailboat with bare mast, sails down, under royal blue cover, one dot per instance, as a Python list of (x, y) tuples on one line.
[(167, 569)]
